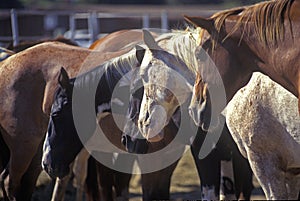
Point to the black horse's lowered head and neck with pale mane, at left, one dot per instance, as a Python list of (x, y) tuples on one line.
[(77, 104)]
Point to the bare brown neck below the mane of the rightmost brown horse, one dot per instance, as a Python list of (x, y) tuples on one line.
[(266, 56)]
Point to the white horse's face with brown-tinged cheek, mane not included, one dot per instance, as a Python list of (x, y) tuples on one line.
[(166, 84)]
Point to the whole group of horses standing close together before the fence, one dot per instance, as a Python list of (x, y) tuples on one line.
[(57, 104)]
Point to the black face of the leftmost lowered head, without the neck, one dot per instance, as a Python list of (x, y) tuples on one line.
[(61, 129)]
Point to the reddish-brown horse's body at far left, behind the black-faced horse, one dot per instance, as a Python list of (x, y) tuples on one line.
[(24, 114)]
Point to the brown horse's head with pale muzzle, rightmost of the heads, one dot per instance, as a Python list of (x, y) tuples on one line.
[(217, 66)]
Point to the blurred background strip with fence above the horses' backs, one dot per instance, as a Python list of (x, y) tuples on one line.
[(84, 21)]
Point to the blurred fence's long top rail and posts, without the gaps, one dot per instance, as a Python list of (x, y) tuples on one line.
[(93, 19)]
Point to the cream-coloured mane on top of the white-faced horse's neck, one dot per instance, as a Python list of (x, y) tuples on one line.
[(183, 43)]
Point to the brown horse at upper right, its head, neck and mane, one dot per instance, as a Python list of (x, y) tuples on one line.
[(262, 37)]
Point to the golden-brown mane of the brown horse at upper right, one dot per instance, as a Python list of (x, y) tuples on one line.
[(268, 18)]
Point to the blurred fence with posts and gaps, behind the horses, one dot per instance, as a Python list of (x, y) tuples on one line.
[(122, 18)]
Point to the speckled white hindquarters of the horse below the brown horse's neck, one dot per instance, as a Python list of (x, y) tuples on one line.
[(259, 123)]
